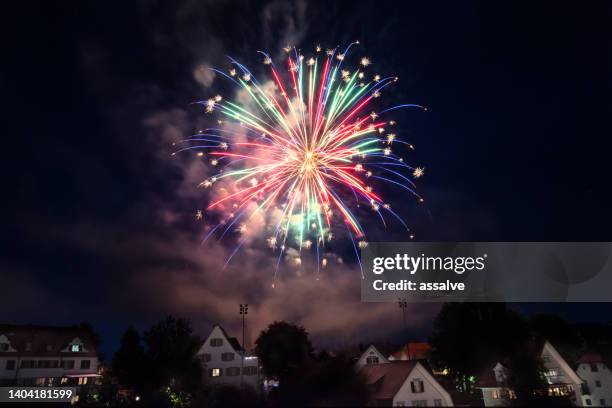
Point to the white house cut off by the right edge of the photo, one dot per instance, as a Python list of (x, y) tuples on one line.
[(595, 369)]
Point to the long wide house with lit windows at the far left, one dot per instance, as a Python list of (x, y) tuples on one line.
[(47, 356)]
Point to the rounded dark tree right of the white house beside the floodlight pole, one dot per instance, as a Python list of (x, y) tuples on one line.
[(283, 350)]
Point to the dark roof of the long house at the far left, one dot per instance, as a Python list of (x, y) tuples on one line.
[(39, 337)]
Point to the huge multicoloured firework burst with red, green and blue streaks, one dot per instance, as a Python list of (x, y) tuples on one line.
[(300, 150)]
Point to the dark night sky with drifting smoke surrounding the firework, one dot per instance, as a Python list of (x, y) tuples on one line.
[(99, 218)]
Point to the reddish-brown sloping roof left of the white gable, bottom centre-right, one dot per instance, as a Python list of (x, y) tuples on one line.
[(385, 380)]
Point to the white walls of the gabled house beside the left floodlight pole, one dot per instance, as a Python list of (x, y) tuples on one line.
[(216, 362)]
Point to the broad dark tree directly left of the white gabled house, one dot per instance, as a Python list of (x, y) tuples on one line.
[(170, 351)]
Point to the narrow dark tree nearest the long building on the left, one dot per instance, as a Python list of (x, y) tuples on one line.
[(129, 363)]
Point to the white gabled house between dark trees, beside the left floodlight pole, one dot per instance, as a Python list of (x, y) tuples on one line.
[(224, 361)]
